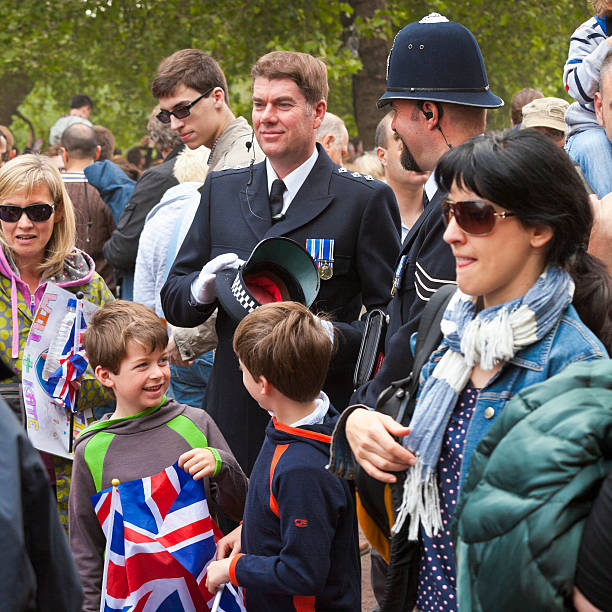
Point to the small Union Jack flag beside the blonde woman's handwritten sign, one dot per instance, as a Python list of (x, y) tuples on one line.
[(72, 362)]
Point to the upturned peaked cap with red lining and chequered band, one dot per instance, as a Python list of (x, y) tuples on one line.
[(278, 269)]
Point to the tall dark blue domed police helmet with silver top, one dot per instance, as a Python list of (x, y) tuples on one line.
[(438, 60)]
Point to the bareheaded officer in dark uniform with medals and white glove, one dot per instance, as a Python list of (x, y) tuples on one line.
[(348, 222)]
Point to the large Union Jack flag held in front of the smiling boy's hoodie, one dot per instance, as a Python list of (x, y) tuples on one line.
[(160, 539)]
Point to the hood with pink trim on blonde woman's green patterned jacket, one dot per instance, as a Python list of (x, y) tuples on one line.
[(78, 270)]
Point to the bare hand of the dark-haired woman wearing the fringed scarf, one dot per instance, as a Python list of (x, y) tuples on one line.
[(370, 435)]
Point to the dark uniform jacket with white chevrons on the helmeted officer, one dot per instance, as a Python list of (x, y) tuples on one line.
[(429, 264)]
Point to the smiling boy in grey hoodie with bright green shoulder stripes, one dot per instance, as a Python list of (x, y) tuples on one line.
[(126, 346)]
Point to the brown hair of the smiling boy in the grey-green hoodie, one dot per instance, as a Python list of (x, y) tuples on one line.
[(117, 323)]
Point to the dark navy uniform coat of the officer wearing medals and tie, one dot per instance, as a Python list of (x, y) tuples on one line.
[(360, 214)]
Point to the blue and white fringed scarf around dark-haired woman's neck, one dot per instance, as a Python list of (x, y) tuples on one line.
[(486, 338)]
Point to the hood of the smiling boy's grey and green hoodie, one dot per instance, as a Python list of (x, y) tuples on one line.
[(150, 418)]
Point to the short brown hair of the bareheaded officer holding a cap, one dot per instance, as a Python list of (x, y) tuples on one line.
[(306, 71)]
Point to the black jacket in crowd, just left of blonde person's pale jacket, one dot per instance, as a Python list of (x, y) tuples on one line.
[(121, 248)]
